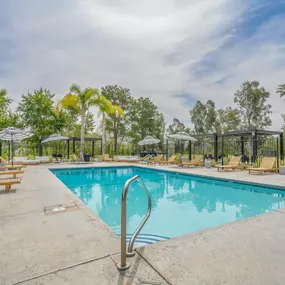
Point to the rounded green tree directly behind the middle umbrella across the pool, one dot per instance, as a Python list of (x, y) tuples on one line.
[(145, 119)]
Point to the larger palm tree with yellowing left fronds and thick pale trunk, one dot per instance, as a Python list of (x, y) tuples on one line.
[(81, 100)]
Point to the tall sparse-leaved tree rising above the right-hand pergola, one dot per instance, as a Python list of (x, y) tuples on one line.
[(251, 100)]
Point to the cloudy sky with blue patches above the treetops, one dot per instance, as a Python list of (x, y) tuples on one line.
[(174, 51)]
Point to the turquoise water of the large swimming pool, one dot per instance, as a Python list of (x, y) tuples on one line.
[(181, 203)]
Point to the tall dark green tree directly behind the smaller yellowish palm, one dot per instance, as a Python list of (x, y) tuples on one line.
[(116, 123)]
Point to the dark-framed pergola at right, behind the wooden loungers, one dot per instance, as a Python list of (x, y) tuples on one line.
[(252, 134)]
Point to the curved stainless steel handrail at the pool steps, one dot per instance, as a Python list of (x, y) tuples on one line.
[(123, 265)]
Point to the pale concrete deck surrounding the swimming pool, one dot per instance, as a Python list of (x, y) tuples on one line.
[(76, 247)]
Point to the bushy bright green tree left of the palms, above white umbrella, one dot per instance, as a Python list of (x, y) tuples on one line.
[(39, 114)]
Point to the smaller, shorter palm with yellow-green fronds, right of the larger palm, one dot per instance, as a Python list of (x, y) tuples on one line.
[(106, 107)]
